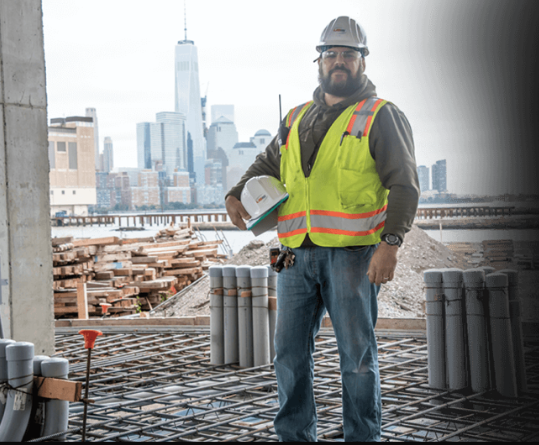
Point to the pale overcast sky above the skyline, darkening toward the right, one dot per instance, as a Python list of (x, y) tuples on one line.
[(434, 59)]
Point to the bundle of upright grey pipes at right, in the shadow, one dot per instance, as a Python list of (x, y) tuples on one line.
[(474, 333)]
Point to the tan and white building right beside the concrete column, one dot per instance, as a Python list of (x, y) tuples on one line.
[(72, 165)]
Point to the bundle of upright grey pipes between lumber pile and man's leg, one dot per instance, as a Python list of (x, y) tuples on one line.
[(242, 315)]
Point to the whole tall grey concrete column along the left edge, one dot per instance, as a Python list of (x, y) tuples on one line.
[(25, 246)]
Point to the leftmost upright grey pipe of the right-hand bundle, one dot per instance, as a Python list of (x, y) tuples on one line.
[(435, 329)]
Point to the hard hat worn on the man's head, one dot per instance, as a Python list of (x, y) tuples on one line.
[(343, 31)]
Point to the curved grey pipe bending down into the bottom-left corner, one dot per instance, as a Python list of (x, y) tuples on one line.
[(20, 370)]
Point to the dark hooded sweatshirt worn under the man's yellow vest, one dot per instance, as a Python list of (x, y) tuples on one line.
[(390, 142)]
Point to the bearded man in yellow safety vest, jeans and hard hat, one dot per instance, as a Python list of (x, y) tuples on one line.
[(347, 160)]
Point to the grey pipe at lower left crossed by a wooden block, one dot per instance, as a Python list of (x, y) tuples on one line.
[(56, 411)]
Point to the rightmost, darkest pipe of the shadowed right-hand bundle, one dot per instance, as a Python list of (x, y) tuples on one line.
[(516, 329)]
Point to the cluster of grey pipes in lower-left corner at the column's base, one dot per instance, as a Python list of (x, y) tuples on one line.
[(24, 415)]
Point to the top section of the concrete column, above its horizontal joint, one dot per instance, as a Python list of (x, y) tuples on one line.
[(23, 65)]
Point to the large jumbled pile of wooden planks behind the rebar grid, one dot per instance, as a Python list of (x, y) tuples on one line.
[(131, 275)]
